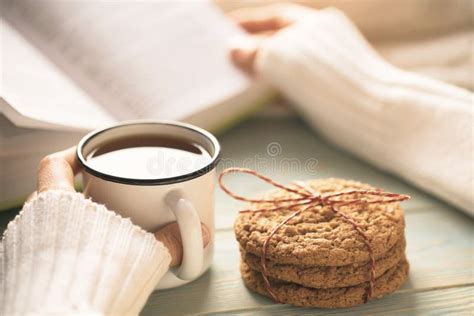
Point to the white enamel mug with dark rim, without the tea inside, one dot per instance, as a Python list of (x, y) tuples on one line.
[(153, 203)]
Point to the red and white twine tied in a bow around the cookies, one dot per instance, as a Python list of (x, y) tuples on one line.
[(306, 199)]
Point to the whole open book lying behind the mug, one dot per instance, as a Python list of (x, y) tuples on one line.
[(72, 66)]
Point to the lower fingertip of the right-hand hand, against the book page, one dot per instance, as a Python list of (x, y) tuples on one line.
[(243, 52)]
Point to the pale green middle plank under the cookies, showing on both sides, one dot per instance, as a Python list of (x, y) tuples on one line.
[(440, 248)]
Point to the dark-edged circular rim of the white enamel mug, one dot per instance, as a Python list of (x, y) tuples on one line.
[(158, 181)]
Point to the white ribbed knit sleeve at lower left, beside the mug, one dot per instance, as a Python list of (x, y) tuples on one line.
[(64, 255)]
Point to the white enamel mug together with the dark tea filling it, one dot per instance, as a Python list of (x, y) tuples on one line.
[(155, 173)]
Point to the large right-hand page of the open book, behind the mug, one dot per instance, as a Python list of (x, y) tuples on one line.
[(152, 59)]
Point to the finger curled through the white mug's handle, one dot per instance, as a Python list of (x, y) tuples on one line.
[(171, 239)]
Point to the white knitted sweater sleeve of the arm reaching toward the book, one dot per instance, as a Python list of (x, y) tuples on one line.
[(416, 127)]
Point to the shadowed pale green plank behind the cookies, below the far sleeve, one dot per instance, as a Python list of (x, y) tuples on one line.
[(246, 146)]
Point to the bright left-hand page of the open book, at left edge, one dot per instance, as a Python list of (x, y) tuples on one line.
[(42, 95)]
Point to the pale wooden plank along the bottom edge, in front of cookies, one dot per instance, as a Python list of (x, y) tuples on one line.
[(451, 301)]
